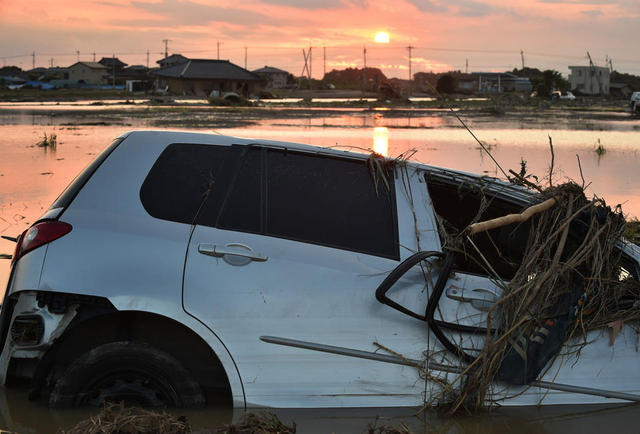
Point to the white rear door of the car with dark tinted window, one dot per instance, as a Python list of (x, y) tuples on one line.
[(295, 249)]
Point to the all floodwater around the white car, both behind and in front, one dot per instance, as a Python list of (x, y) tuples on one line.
[(32, 177)]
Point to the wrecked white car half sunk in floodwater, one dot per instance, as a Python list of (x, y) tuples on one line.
[(181, 269)]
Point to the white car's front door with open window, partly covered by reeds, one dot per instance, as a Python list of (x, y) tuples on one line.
[(472, 277)]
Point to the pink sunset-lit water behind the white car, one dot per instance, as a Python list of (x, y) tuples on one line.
[(31, 179)]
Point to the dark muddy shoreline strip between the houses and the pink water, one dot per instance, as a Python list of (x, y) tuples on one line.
[(533, 113)]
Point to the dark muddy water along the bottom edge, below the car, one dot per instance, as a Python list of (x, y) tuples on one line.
[(18, 414)]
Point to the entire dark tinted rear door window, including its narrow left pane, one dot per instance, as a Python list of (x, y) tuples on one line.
[(314, 199)]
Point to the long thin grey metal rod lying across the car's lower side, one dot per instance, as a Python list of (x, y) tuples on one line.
[(437, 366)]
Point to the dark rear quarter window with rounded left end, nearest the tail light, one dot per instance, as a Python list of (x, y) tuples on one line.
[(183, 176)]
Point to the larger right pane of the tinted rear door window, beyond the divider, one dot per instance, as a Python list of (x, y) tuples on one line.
[(329, 201)]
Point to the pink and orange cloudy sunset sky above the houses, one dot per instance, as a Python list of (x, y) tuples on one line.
[(444, 33)]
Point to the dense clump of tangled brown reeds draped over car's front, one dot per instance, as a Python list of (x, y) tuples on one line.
[(571, 279)]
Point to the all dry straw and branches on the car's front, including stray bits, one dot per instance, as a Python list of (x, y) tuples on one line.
[(569, 277)]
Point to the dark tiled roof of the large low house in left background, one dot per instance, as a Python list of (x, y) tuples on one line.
[(206, 69)]
